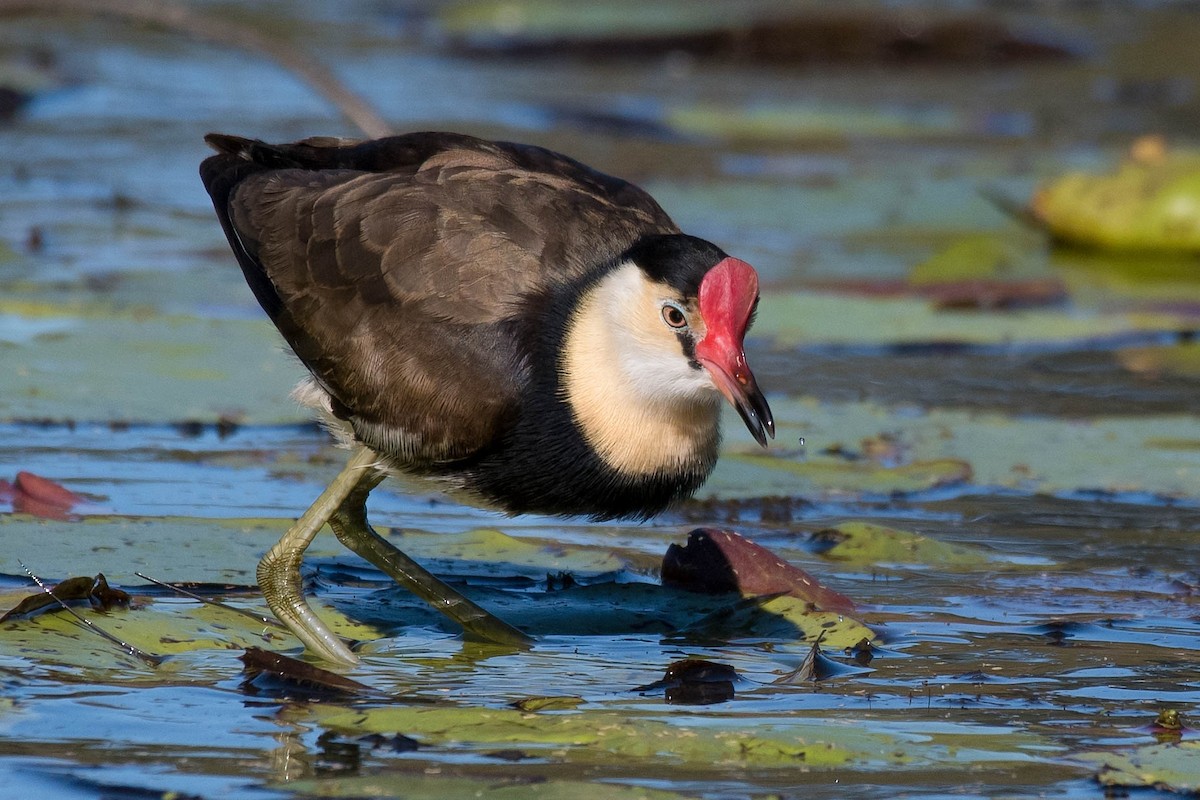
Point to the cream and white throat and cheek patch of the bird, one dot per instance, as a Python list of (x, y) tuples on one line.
[(631, 389)]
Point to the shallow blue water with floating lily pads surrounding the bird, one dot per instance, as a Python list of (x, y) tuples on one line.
[(1039, 607)]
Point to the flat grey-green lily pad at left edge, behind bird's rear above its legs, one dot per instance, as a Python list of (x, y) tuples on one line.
[(63, 366)]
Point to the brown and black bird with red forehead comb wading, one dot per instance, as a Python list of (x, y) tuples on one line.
[(520, 329)]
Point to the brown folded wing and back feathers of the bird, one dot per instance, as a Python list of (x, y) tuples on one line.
[(394, 268)]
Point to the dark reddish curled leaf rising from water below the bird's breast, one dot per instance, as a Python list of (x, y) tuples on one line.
[(722, 561)]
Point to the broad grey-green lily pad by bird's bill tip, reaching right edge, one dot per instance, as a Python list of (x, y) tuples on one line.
[(1024, 453)]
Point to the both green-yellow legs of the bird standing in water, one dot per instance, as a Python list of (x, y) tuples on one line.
[(344, 506)]
